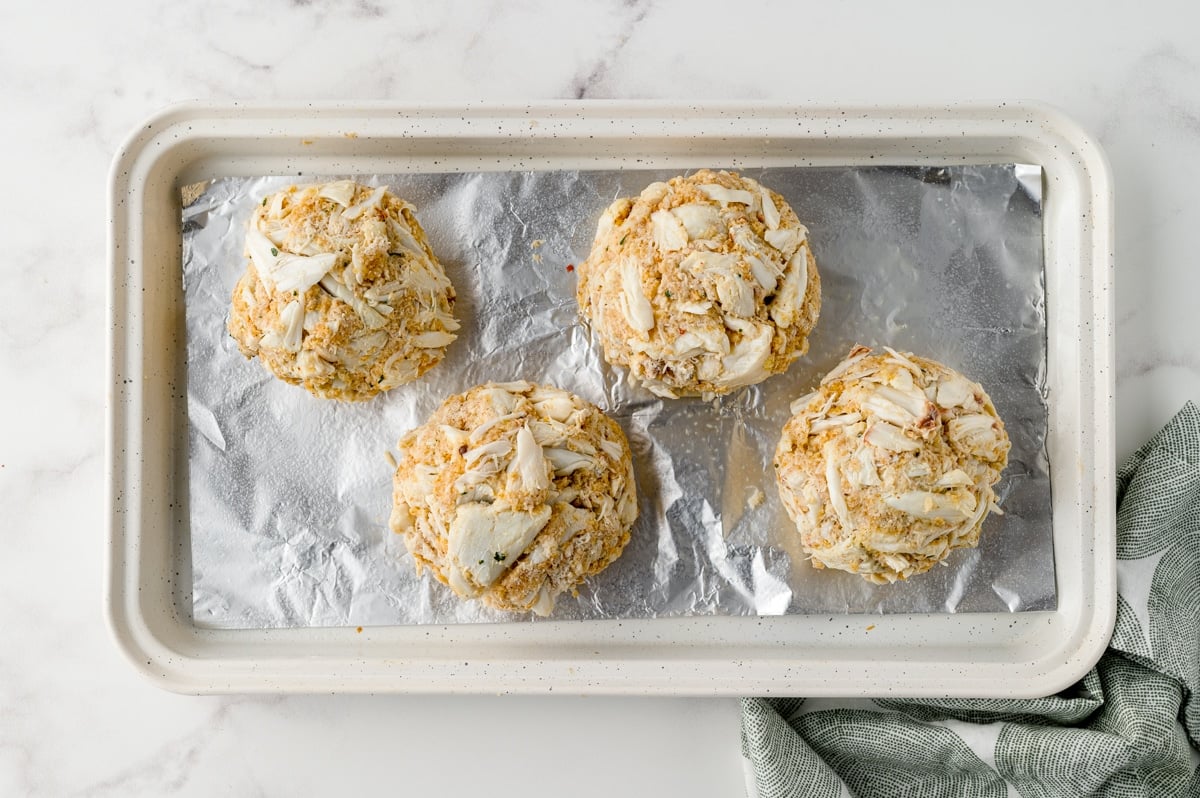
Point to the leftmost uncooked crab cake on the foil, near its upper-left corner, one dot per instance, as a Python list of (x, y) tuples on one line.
[(343, 293)]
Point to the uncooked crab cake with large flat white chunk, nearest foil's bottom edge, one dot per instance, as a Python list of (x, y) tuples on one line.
[(513, 494)]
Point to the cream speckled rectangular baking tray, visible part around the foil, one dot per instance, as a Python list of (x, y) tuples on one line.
[(148, 580)]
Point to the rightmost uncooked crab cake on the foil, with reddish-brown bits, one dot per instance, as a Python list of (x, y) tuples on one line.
[(890, 465)]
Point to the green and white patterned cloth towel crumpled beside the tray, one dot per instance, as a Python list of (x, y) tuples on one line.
[(1130, 728)]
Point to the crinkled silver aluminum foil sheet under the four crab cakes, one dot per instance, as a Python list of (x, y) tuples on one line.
[(290, 495)]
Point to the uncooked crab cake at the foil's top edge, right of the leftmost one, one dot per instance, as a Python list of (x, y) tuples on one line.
[(701, 285)]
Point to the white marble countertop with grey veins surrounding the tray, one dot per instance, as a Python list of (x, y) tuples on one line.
[(75, 77)]
